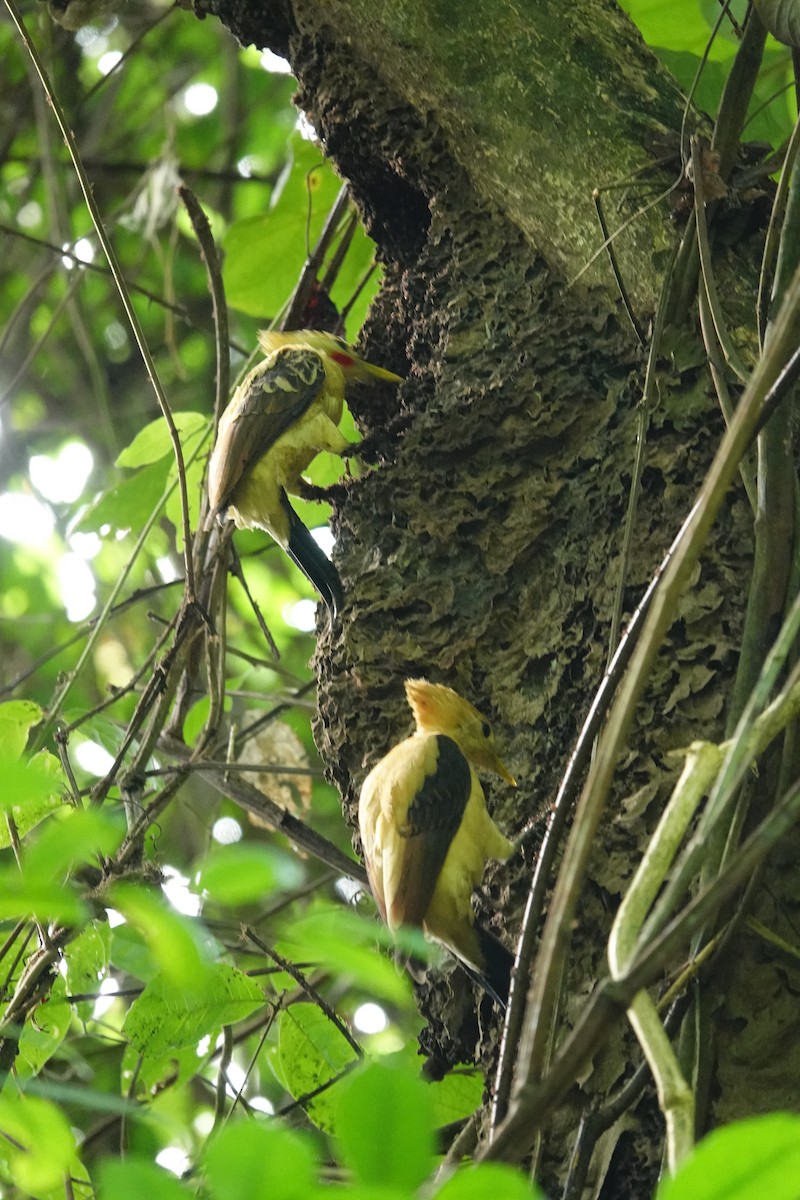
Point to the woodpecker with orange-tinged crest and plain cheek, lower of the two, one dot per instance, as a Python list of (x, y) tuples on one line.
[(428, 836)]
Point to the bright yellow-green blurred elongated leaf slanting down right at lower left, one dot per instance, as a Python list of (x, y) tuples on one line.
[(176, 941)]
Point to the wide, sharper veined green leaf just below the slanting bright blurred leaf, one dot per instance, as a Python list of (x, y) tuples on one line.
[(170, 1017)]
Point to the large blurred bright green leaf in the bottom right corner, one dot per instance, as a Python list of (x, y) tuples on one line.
[(750, 1160)]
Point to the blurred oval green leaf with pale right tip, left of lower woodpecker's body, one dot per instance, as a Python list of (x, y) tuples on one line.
[(244, 873)]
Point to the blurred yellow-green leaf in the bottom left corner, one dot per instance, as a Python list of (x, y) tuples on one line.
[(39, 1147)]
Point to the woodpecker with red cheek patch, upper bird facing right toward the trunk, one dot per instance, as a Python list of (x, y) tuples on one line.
[(282, 415)]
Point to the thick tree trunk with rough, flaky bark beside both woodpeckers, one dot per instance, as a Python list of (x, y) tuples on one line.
[(485, 551)]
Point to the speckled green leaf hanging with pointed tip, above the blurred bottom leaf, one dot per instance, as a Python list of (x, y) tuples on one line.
[(311, 1053)]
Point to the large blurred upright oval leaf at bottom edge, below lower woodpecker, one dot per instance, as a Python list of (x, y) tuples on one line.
[(386, 1127)]
